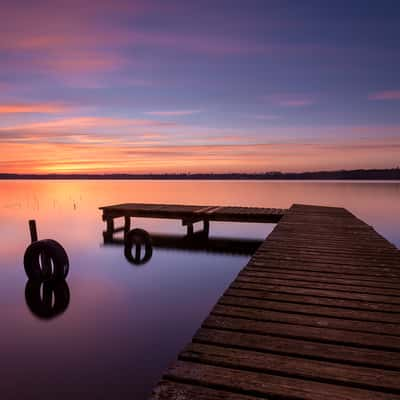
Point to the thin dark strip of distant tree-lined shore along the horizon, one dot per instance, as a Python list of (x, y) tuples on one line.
[(362, 174)]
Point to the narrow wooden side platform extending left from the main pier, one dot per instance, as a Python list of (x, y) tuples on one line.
[(193, 213)]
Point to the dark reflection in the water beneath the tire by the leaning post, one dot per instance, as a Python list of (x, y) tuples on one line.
[(53, 300)]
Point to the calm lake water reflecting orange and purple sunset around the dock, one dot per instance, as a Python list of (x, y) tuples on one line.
[(123, 324)]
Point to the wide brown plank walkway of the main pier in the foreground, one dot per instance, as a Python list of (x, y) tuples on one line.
[(314, 315)]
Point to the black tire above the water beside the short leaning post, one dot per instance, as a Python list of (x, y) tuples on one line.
[(46, 249)]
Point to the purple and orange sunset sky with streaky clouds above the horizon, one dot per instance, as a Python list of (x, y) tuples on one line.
[(156, 86)]
